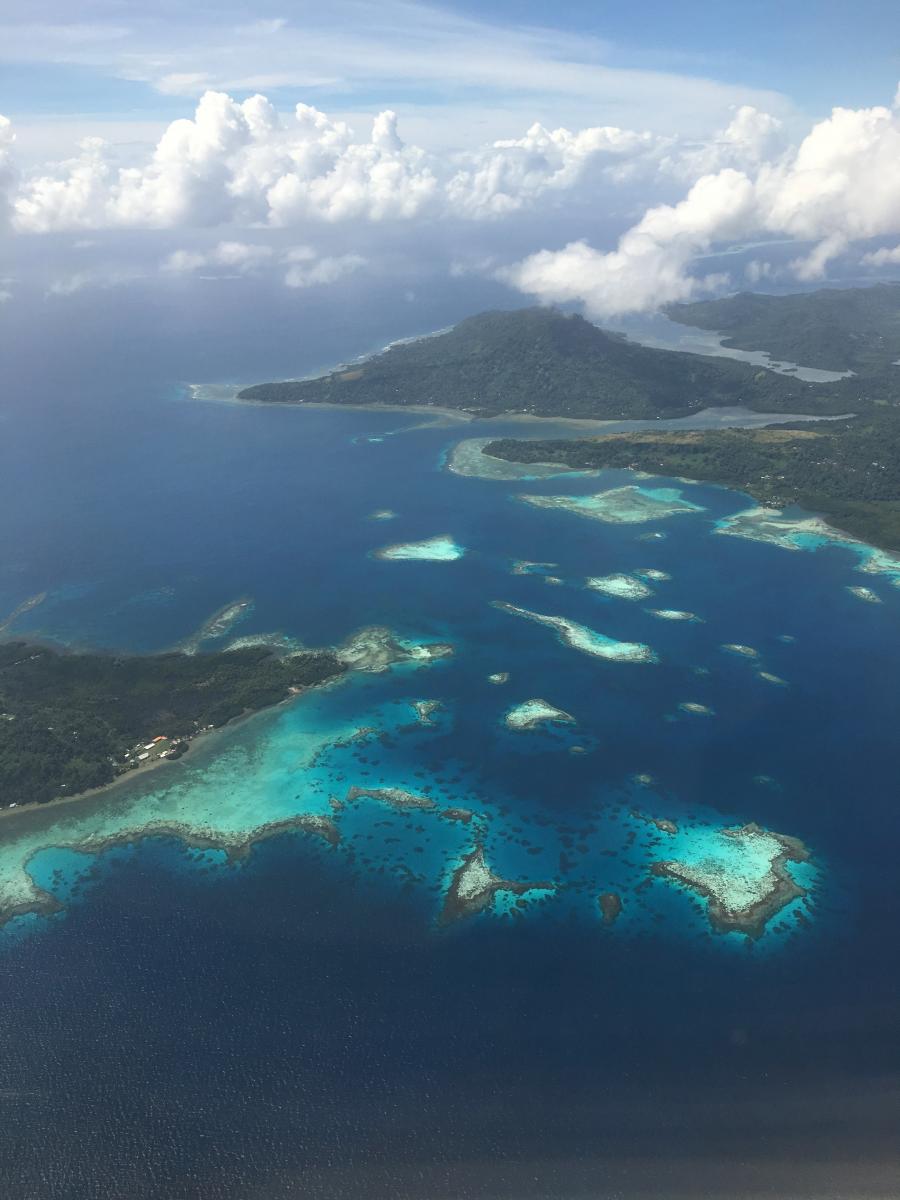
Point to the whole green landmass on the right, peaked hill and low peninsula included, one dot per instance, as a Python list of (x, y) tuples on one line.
[(542, 363)]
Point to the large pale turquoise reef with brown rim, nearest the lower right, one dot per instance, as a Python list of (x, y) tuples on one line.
[(742, 873)]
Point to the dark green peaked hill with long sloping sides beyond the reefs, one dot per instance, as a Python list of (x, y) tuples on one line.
[(548, 364)]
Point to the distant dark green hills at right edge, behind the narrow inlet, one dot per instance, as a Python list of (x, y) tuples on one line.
[(835, 329)]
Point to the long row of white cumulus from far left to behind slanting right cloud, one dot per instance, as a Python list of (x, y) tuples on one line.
[(244, 164)]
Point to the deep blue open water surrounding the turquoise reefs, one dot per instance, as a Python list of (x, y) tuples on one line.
[(297, 1027)]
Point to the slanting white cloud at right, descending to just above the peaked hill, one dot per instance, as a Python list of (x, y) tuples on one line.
[(839, 187)]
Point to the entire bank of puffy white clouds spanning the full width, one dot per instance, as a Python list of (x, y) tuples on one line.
[(243, 166)]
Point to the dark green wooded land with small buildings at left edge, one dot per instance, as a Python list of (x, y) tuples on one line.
[(70, 723)]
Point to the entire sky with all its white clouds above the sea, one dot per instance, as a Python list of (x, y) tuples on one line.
[(605, 157)]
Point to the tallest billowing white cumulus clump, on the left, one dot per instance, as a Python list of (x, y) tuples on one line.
[(236, 164)]
